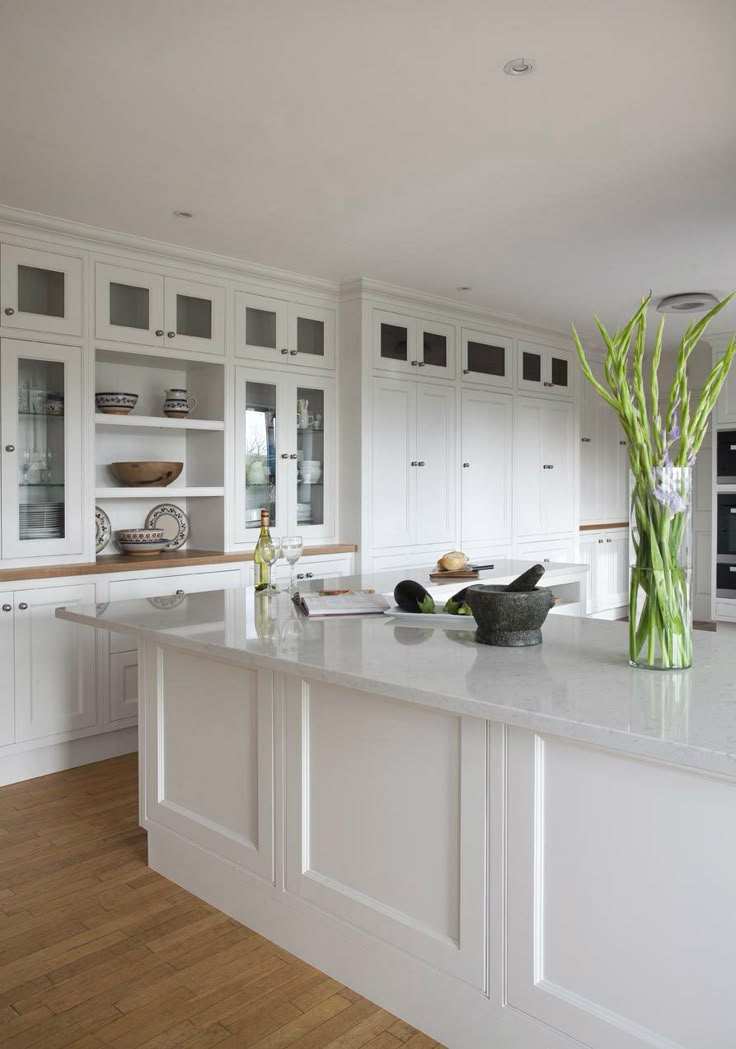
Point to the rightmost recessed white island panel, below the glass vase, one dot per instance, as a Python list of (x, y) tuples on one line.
[(612, 871)]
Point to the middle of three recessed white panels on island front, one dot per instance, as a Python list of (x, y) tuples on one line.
[(399, 850)]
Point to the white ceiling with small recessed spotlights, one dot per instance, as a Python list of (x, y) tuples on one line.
[(381, 139)]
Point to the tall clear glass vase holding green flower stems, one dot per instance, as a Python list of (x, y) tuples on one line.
[(661, 624)]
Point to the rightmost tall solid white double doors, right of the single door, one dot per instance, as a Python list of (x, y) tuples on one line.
[(544, 467)]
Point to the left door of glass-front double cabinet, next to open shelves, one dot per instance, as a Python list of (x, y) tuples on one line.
[(264, 443)]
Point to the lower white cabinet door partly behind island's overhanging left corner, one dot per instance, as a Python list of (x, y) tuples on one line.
[(55, 663)]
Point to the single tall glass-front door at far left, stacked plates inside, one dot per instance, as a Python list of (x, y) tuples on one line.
[(41, 449)]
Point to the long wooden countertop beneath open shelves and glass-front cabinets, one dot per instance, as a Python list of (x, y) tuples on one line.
[(174, 560)]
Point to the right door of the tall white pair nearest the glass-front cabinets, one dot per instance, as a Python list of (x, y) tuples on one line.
[(437, 511)]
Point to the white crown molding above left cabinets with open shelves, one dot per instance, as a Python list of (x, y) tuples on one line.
[(98, 238)]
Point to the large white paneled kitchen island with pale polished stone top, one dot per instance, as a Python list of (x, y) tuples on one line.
[(524, 849)]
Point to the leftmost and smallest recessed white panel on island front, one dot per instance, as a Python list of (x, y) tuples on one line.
[(209, 732)]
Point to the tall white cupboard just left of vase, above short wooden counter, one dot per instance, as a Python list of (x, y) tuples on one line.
[(604, 465)]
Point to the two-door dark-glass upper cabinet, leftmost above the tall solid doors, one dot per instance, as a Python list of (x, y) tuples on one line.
[(403, 344)]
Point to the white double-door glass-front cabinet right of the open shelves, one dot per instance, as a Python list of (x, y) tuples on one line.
[(286, 454)]
